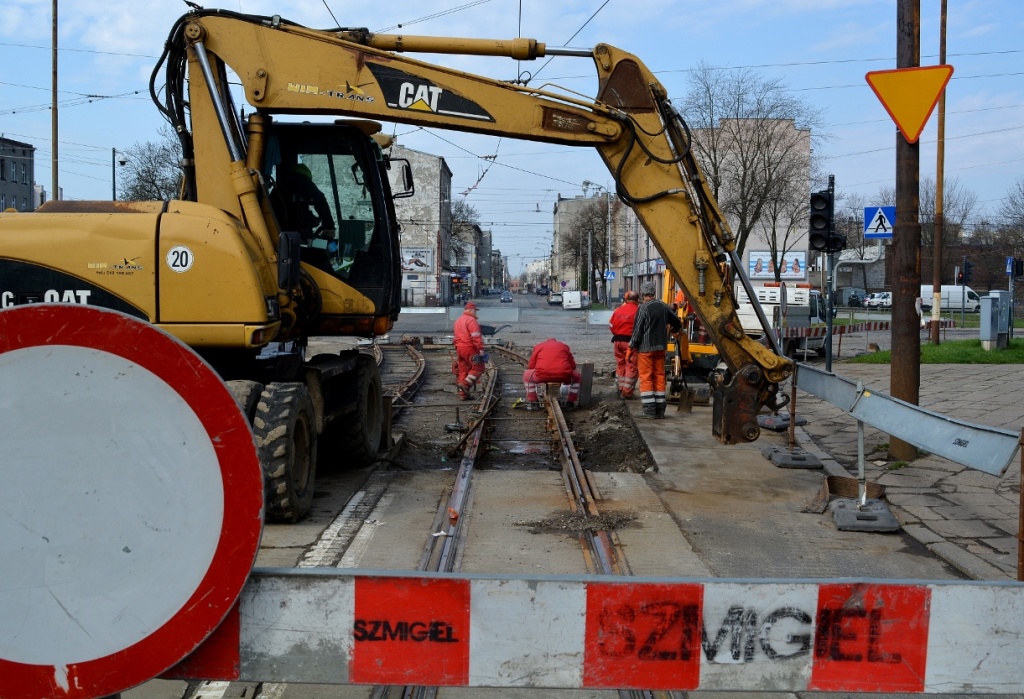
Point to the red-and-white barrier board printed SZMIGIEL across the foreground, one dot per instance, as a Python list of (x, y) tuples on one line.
[(332, 628)]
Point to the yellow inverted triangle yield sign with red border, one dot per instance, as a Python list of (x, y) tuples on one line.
[(910, 96)]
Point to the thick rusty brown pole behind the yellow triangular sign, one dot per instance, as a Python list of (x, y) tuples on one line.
[(906, 379)]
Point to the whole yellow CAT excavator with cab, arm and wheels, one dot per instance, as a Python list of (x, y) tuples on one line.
[(285, 230)]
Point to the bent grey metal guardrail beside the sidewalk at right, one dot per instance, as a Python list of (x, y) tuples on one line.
[(977, 447)]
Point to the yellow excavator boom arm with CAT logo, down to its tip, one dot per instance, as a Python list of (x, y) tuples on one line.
[(286, 69)]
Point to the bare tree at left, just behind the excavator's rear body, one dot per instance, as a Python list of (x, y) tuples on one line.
[(152, 170)]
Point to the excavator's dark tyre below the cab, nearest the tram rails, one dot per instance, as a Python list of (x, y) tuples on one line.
[(359, 433)]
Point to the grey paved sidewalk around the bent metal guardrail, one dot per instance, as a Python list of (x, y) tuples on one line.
[(967, 517)]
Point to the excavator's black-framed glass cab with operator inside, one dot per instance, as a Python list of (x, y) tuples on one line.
[(330, 184)]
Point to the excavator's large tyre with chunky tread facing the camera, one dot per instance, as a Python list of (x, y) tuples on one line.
[(287, 441)]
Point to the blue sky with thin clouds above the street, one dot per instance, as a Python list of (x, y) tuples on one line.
[(820, 50)]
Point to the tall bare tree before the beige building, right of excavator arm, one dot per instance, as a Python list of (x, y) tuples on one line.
[(753, 141)]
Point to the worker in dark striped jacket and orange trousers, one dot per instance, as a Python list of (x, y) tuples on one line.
[(650, 342)]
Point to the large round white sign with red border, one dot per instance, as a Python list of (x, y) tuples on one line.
[(133, 504)]
